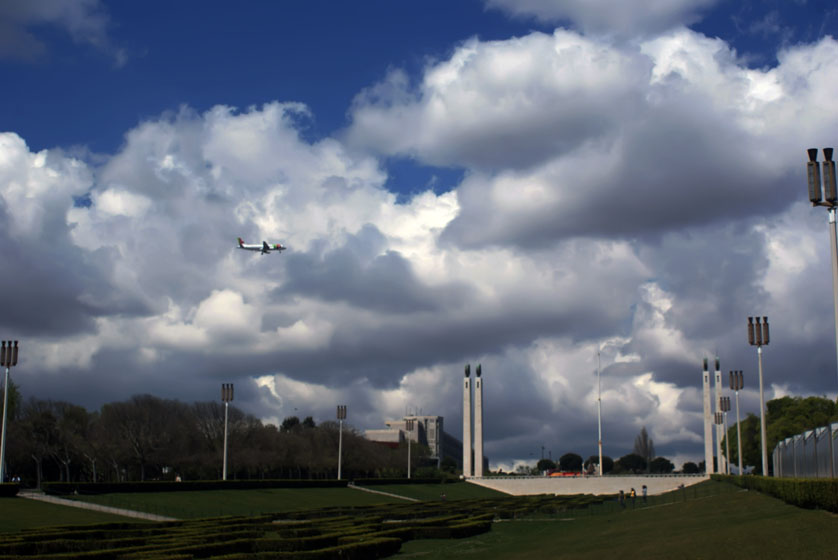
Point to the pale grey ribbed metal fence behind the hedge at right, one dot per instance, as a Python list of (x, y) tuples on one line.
[(811, 454)]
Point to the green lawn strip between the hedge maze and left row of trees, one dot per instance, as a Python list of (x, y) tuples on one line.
[(211, 503)]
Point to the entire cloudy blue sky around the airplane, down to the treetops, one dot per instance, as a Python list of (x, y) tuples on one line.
[(527, 185)]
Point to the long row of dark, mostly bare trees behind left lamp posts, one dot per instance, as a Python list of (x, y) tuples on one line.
[(147, 438)]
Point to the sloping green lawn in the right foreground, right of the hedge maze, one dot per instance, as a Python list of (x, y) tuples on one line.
[(740, 524)]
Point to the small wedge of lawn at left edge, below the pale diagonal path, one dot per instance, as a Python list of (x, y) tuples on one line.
[(17, 514)]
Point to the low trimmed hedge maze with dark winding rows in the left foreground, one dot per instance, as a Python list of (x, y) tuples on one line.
[(324, 534)]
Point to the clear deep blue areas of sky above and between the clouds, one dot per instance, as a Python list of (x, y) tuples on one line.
[(161, 55)]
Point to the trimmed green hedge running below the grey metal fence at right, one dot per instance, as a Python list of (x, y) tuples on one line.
[(810, 493)]
